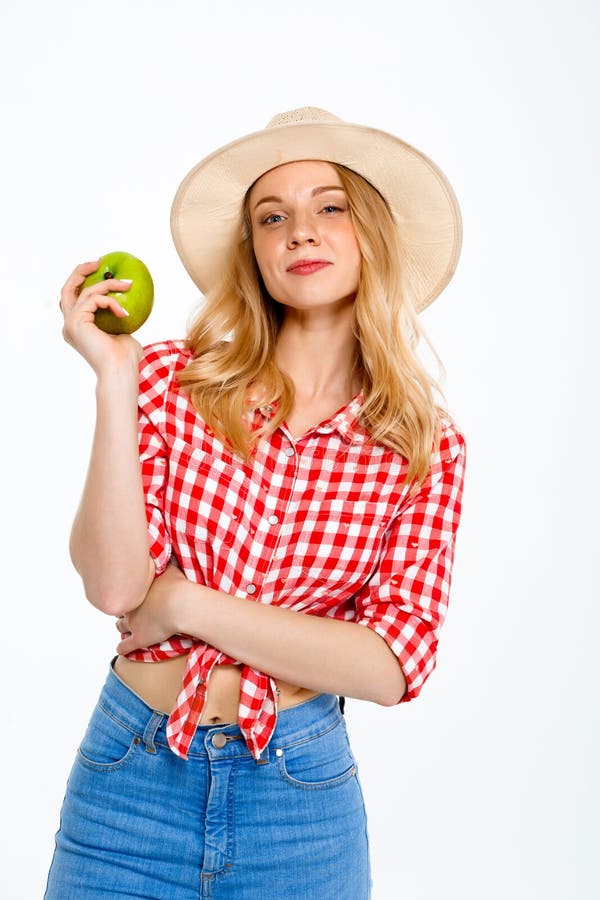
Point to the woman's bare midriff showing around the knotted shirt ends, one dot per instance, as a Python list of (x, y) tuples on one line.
[(159, 684)]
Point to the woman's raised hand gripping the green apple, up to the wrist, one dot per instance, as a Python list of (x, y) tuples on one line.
[(101, 350)]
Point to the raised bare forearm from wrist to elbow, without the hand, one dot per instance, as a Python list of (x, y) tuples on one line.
[(109, 538)]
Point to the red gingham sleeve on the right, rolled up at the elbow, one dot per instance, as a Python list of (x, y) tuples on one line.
[(406, 599)]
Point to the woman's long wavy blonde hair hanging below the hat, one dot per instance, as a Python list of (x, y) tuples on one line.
[(233, 336)]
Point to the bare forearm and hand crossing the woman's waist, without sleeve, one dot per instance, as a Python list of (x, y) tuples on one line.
[(318, 653)]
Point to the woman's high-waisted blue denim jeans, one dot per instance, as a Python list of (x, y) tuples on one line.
[(138, 821)]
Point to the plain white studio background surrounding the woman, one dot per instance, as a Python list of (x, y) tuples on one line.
[(486, 786)]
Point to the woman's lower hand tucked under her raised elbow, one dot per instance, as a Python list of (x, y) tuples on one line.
[(156, 619)]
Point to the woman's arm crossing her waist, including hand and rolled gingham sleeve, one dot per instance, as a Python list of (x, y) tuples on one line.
[(385, 656)]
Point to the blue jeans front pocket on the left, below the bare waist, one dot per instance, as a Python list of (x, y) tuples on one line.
[(107, 744)]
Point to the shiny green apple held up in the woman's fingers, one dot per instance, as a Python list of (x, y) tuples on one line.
[(137, 300)]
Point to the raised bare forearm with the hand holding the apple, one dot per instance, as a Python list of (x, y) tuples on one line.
[(109, 538)]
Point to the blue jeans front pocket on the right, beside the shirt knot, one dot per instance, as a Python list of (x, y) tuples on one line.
[(324, 761)]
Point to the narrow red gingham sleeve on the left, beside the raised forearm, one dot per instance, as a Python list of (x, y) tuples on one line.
[(155, 375)]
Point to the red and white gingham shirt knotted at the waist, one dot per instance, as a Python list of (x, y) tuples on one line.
[(321, 524)]
